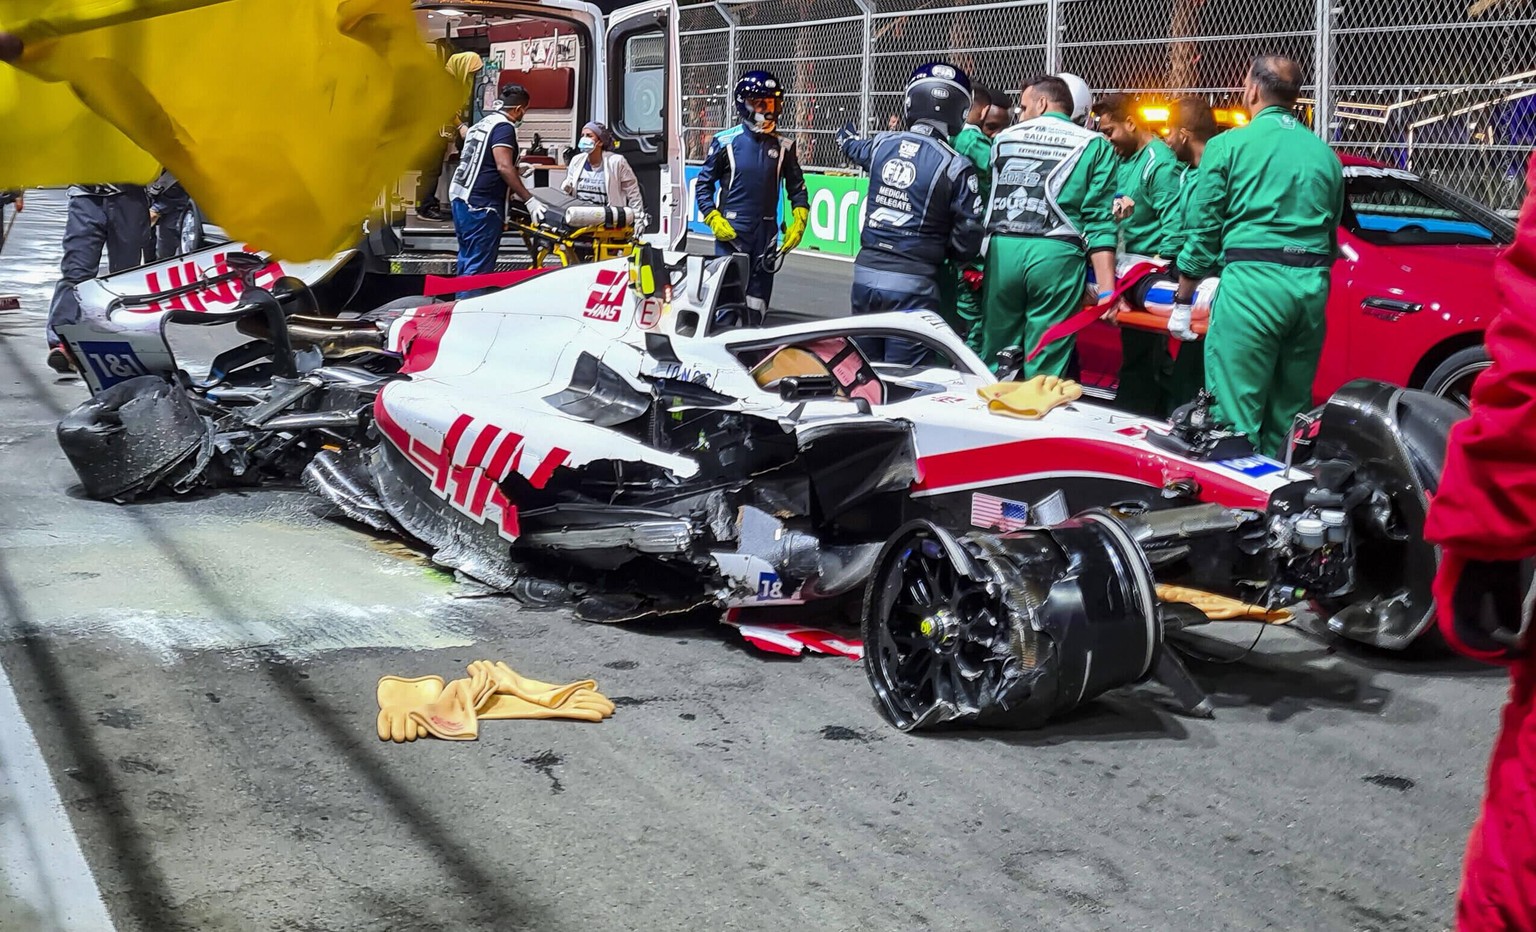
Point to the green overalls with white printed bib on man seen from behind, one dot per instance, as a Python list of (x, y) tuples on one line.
[(1051, 203)]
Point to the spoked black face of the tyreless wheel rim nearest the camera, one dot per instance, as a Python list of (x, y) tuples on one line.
[(942, 640)]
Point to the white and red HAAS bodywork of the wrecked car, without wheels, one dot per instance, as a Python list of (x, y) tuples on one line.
[(558, 375)]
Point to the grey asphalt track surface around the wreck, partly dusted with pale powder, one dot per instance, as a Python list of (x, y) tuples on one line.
[(200, 676)]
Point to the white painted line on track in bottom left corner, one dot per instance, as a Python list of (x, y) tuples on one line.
[(45, 882)]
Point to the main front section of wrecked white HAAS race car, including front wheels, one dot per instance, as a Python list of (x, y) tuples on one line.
[(598, 434)]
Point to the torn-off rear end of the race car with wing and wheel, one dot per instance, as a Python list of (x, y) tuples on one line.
[(279, 380)]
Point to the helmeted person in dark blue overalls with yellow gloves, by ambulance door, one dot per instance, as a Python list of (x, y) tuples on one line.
[(749, 164)]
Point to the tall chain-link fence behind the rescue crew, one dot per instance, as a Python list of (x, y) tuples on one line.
[(1446, 88)]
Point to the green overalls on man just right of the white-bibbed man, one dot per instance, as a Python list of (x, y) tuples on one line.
[(1151, 180)]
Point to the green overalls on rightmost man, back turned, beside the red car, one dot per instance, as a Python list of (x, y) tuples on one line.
[(1268, 208)]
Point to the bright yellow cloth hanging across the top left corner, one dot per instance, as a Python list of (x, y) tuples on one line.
[(283, 119)]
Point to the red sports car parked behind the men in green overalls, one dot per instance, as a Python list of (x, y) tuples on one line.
[(1412, 291)]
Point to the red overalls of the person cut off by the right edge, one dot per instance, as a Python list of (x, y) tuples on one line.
[(1485, 520)]
